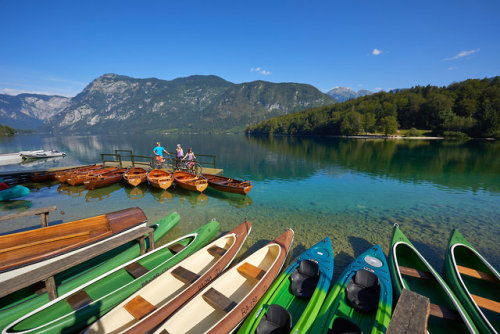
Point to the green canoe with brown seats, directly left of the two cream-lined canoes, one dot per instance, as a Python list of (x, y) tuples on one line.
[(80, 307)]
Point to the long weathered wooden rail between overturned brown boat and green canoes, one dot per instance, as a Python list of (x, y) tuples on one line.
[(39, 274)]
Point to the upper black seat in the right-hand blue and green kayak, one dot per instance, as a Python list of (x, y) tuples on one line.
[(363, 291)]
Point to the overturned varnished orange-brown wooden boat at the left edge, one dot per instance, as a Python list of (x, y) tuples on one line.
[(20, 249)]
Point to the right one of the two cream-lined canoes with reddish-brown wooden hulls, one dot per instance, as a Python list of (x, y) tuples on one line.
[(222, 304)]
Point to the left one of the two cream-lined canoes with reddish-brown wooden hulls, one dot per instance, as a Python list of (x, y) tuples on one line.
[(147, 308)]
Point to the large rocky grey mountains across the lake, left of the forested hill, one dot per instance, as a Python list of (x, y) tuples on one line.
[(117, 103)]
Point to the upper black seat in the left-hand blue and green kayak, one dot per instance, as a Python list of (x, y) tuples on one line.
[(304, 279)]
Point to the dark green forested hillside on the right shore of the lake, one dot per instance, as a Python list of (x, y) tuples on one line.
[(470, 107)]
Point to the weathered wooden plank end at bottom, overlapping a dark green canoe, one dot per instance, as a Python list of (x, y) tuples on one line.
[(410, 315)]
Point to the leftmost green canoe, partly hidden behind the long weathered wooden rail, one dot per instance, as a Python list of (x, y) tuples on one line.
[(21, 302)]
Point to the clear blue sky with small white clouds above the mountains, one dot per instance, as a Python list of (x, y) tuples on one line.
[(61, 46)]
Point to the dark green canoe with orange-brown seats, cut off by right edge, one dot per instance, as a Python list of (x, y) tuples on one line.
[(475, 282)]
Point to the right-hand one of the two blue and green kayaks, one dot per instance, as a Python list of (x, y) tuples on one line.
[(361, 299)]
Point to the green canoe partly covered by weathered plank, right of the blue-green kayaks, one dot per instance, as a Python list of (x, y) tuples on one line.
[(411, 271)]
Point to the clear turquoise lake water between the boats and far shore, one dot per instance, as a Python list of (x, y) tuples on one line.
[(349, 189)]
